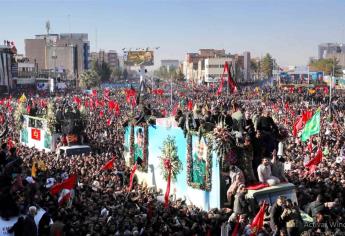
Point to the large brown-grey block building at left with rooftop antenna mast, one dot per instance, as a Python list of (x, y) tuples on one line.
[(69, 52)]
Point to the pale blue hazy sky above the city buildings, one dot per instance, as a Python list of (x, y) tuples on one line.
[(289, 29)]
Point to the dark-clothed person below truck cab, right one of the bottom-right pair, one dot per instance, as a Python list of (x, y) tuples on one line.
[(291, 217)]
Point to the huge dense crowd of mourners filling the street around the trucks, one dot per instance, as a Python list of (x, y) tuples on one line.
[(101, 204)]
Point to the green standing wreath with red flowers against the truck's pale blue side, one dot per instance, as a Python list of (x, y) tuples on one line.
[(170, 159)]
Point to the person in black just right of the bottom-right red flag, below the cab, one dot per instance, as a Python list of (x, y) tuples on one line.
[(276, 220)]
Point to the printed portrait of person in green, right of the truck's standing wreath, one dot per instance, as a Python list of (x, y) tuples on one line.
[(199, 165)]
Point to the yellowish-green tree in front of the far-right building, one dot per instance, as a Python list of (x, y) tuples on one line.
[(326, 65)]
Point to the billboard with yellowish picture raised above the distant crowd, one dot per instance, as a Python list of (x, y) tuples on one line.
[(137, 58)]
